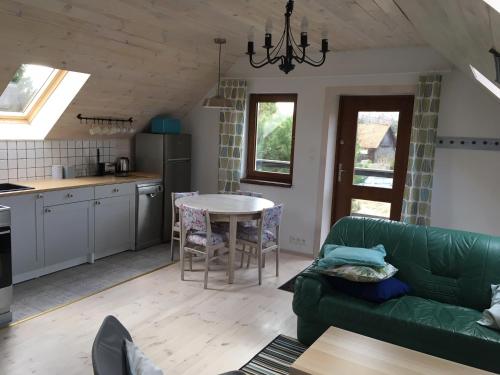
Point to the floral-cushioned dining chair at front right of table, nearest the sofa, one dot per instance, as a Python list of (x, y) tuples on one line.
[(263, 238)]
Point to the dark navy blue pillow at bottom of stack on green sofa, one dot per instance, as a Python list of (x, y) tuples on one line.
[(373, 292)]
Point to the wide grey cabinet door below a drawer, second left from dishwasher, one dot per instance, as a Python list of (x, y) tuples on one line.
[(68, 232)]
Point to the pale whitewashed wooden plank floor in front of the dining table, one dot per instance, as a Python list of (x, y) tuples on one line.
[(181, 327)]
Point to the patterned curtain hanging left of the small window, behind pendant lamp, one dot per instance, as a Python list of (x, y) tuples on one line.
[(231, 135)]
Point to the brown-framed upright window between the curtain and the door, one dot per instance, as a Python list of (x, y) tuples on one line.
[(271, 129)]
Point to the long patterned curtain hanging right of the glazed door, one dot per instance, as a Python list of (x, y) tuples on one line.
[(418, 185)]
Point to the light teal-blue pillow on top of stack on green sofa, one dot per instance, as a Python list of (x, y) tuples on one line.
[(336, 255)]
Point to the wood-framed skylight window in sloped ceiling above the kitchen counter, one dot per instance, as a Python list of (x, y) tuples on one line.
[(28, 89)]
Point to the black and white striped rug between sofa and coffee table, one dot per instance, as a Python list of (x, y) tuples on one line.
[(276, 357)]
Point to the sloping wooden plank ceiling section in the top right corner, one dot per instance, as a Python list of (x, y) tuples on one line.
[(463, 31)]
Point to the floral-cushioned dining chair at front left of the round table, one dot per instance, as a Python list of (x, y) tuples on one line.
[(198, 238)]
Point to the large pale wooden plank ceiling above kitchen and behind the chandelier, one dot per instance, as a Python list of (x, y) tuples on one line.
[(157, 57)]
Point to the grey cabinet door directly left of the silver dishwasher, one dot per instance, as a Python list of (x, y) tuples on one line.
[(114, 225)]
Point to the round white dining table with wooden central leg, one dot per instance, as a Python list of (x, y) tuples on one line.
[(228, 208)]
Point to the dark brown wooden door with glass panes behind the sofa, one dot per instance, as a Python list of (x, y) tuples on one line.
[(372, 154)]
